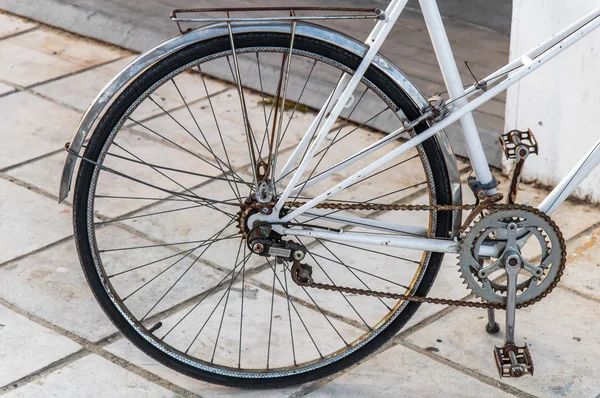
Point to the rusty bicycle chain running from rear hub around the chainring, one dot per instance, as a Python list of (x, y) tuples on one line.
[(434, 300)]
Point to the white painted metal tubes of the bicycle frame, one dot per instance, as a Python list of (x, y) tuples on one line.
[(460, 110)]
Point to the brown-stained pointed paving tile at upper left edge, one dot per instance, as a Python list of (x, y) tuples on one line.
[(45, 54)]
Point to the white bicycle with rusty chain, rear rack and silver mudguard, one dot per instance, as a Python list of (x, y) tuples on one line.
[(273, 258)]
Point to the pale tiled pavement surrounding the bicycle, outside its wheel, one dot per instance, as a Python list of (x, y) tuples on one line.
[(55, 340)]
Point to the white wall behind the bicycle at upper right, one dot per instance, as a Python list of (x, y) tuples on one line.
[(560, 102)]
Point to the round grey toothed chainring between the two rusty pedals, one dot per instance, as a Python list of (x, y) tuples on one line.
[(537, 278)]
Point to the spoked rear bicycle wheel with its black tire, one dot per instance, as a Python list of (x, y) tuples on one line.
[(160, 223)]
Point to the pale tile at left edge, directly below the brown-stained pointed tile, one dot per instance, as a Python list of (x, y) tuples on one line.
[(26, 136)]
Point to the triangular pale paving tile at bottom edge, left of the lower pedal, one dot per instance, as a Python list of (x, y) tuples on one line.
[(401, 372)]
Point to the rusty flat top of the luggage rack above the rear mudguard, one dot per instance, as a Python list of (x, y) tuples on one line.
[(349, 13)]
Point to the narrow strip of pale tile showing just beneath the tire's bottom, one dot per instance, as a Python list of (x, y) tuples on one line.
[(129, 352)]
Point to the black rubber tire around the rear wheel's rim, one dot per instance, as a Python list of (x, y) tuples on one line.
[(84, 186)]
